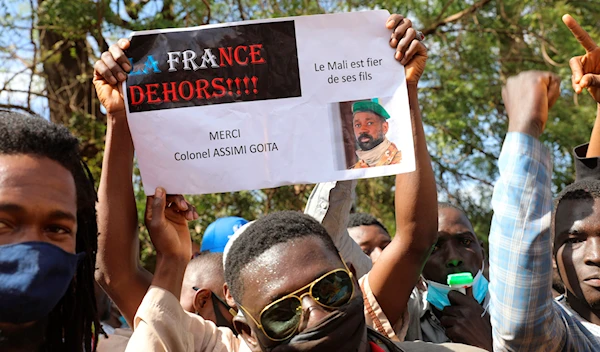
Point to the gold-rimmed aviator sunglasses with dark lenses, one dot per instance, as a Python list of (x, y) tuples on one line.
[(281, 318)]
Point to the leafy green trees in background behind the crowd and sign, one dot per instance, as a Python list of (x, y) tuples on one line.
[(48, 47)]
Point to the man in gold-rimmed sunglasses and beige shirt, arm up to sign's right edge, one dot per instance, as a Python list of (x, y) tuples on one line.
[(293, 290)]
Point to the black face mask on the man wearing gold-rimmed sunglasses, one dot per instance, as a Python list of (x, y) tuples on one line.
[(342, 330)]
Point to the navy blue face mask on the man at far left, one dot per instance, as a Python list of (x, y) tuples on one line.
[(34, 276)]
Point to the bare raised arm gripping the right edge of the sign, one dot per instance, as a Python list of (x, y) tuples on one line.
[(397, 270)]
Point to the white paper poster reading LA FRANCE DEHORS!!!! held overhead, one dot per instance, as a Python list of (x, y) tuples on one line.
[(261, 104)]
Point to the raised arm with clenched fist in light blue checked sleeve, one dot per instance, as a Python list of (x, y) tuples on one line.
[(522, 312)]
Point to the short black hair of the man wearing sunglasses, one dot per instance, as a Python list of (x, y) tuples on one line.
[(263, 234)]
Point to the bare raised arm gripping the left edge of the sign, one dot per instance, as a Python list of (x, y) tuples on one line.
[(119, 272)]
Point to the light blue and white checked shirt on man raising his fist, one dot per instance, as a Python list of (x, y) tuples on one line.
[(524, 316)]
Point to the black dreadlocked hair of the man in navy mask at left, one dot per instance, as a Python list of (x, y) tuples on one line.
[(73, 324)]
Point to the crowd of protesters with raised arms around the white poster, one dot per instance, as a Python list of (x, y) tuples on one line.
[(325, 280)]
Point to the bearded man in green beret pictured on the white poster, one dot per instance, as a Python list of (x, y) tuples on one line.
[(369, 120)]
